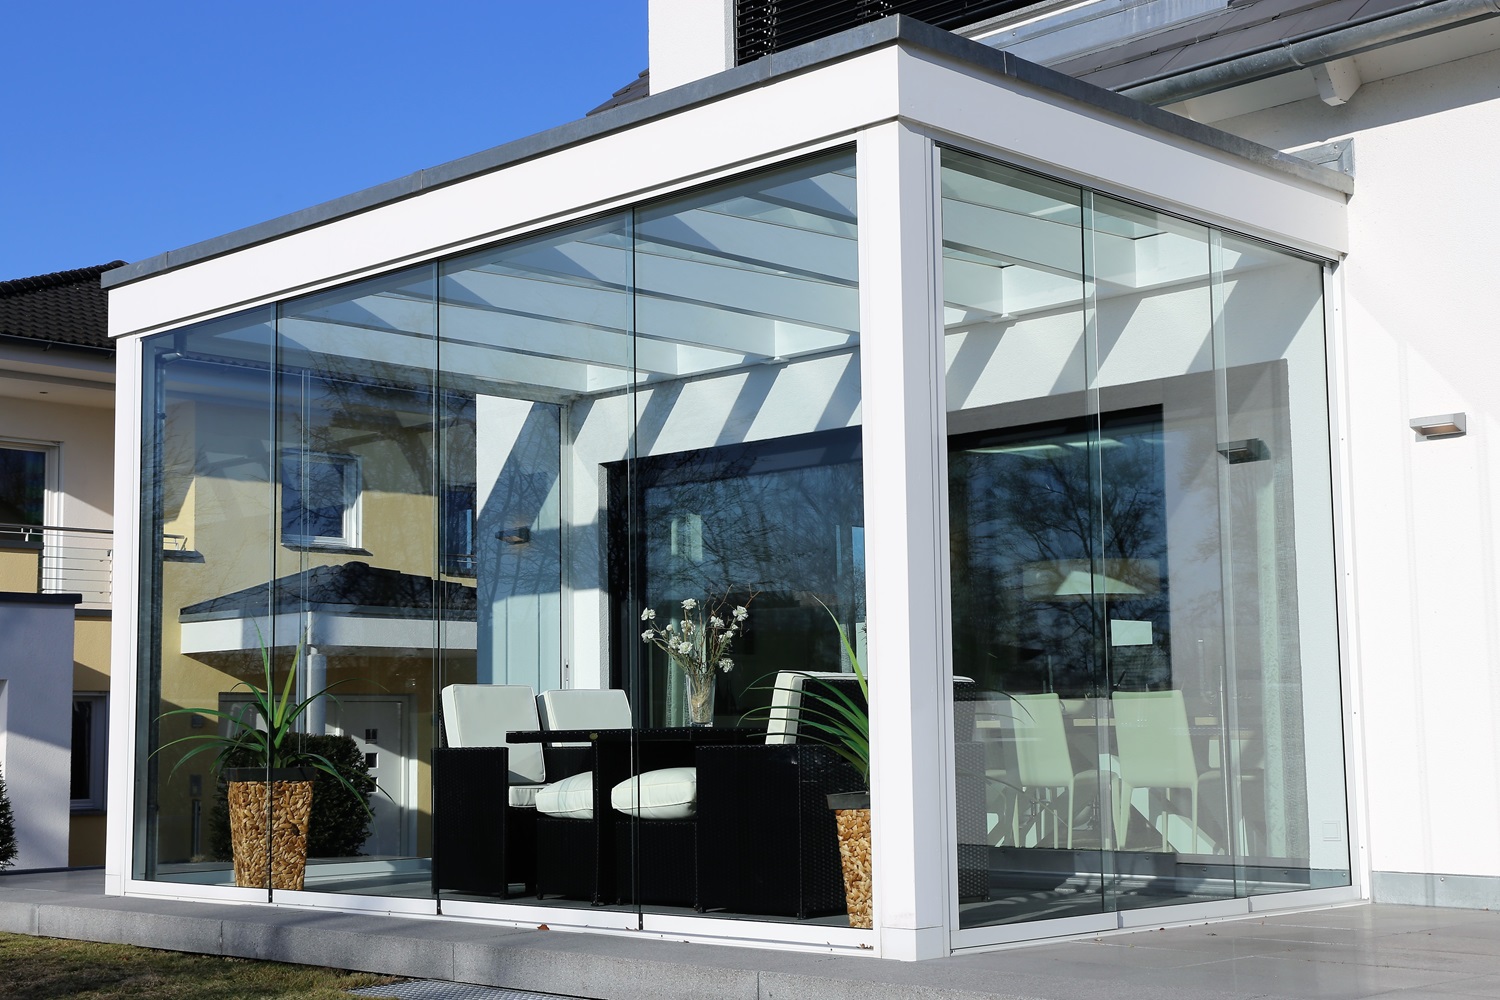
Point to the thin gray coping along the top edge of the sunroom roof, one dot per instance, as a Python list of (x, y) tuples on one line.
[(893, 31)]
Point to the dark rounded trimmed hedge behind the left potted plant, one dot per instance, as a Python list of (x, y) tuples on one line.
[(340, 824)]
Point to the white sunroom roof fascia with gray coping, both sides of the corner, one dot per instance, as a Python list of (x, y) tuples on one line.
[(817, 97)]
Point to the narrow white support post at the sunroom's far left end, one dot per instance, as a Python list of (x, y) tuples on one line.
[(124, 666)]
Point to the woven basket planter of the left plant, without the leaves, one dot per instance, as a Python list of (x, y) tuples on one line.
[(269, 816)]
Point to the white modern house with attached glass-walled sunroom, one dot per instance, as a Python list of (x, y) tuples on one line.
[(1144, 452)]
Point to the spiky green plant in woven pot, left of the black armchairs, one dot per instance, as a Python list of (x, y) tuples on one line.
[(271, 801)]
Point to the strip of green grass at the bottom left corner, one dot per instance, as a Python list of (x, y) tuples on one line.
[(46, 968)]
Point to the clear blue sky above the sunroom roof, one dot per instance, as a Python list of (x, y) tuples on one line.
[(139, 128)]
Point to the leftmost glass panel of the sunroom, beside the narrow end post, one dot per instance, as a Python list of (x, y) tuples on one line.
[(206, 543)]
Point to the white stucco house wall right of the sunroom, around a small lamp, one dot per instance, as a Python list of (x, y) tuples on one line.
[(1420, 338)]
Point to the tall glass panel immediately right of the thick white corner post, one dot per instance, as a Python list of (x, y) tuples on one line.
[(1025, 546)]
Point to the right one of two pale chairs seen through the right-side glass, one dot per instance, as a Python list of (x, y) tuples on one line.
[(1156, 752)]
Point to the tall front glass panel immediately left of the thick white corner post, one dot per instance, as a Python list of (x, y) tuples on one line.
[(748, 509)]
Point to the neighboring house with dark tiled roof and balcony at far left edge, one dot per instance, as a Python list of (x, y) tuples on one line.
[(56, 561)]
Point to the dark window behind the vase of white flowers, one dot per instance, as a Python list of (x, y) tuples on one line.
[(779, 522)]
